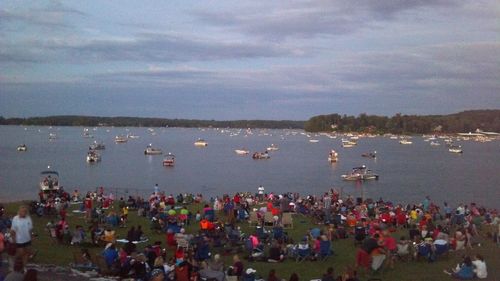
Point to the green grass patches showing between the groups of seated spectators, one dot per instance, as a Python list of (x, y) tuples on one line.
[(50, 252)]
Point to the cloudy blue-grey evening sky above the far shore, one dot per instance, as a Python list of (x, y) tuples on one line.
[(248, 59)]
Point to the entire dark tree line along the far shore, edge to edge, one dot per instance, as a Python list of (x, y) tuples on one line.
[(466, 121)]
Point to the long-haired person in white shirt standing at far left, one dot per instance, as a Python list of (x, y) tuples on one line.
[(21, 231)]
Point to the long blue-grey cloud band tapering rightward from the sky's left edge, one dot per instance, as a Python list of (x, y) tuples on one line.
[(145, 47)]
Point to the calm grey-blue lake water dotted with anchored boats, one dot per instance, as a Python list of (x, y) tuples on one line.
[(407, 172)]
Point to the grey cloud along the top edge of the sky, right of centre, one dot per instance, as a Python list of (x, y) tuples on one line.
[(311, 18)]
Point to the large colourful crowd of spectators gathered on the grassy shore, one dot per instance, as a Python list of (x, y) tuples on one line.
[(430, 232)]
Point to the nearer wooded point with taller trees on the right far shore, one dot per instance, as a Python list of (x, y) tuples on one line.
[(466, 121)]
